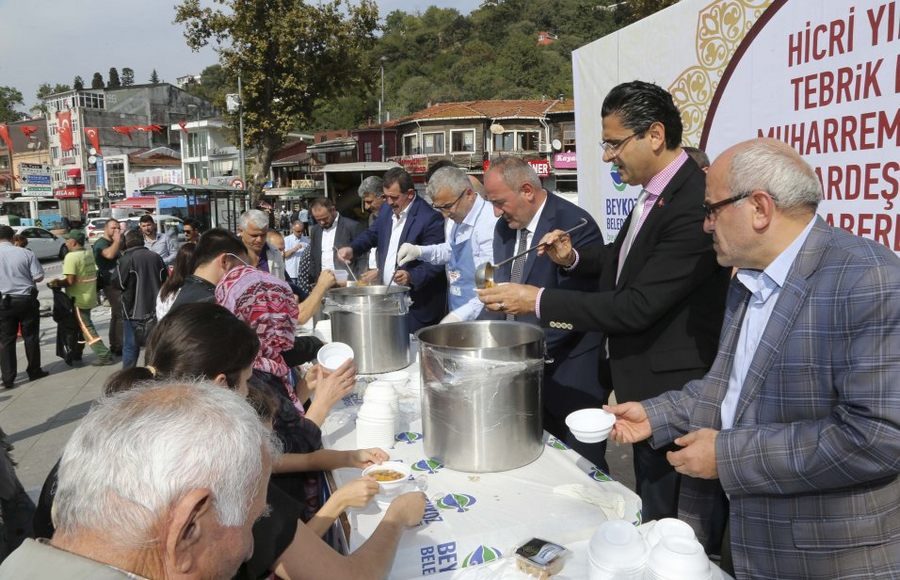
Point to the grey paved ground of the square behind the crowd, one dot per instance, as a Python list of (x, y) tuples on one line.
[(39, 416)]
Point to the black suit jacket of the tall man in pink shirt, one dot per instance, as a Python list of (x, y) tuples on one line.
[(663, 315)]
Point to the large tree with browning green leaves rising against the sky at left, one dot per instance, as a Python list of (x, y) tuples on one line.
[(308, 54)]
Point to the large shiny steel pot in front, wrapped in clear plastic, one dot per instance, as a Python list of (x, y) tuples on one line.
[(481, 394)]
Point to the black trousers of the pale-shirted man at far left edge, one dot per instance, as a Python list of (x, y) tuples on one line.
[(16, 310)]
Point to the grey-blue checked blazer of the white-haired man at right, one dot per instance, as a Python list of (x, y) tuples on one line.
[(811, 464)]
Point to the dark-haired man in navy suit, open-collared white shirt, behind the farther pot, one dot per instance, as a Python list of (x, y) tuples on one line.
[(406, 218)]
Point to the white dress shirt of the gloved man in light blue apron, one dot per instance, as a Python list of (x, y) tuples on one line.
[(478, 228)]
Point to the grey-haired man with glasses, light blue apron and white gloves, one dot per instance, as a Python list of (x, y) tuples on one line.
[(470, 240)]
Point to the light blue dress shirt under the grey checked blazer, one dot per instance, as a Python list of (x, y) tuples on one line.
[(764, 289)]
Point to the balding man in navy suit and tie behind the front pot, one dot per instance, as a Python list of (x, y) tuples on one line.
[(528, 212)]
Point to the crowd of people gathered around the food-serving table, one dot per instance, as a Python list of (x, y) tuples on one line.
[(753, 350)]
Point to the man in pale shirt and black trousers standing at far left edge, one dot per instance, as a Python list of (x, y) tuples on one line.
[(19, 272)]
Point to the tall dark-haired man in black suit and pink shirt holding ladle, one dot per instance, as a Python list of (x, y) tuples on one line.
[(662, 294)]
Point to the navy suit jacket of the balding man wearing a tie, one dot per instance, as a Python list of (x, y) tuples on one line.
[(571, 381)]
